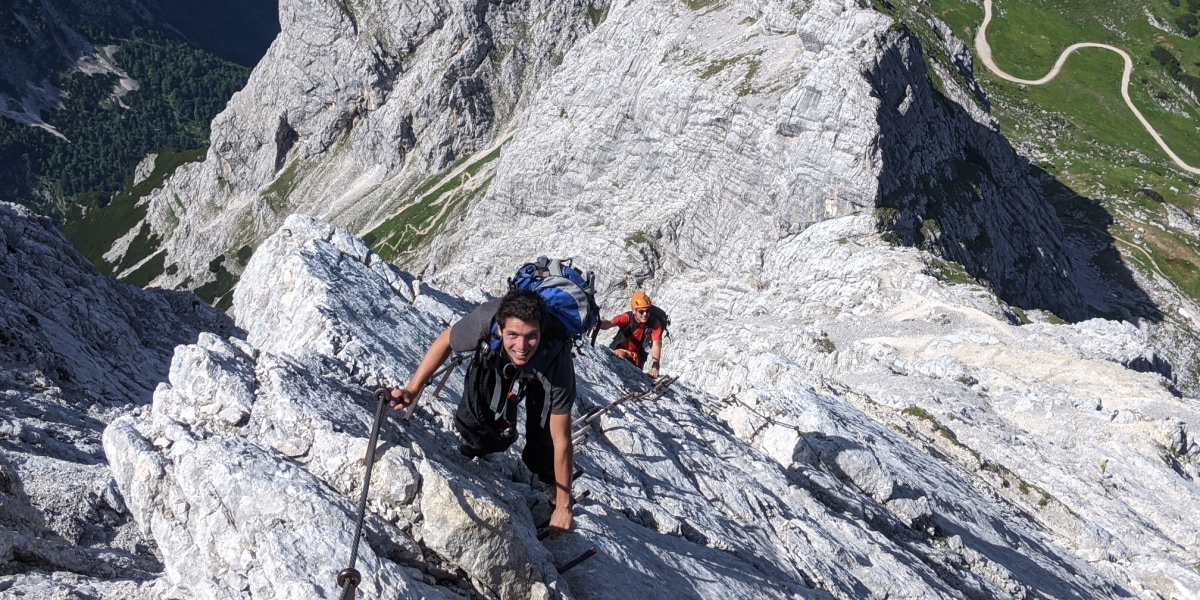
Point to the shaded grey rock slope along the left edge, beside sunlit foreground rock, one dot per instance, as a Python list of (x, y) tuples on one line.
[(76, 351)]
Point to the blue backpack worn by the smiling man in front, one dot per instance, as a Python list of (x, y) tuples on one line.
[(569, 296)]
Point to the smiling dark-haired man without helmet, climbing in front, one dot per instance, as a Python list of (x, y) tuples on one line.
[(513, 362)]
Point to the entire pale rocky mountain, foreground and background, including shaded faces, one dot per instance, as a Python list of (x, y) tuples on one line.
[(856, 416)]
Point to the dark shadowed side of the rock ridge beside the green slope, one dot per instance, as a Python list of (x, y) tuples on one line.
[(956, 188)]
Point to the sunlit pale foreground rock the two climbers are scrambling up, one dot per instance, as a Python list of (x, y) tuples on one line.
[(926, 448)]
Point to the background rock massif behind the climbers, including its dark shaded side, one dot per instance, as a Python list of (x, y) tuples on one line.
[(644, 135)]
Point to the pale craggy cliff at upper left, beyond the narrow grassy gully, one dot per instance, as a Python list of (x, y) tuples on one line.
[(352, 109)]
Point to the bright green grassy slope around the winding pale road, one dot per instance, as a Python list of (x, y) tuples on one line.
[(1079, 129)]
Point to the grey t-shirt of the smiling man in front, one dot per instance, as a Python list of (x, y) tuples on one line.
[(553, 362)]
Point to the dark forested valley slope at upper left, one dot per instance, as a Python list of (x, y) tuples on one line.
[(181, 89)]
